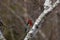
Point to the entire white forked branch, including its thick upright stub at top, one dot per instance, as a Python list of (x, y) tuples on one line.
[(47, 8)]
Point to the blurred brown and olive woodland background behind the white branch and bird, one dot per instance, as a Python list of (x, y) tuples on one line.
[(14, 12)]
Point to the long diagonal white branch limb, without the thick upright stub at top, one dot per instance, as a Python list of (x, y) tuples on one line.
[(34, 29)]
